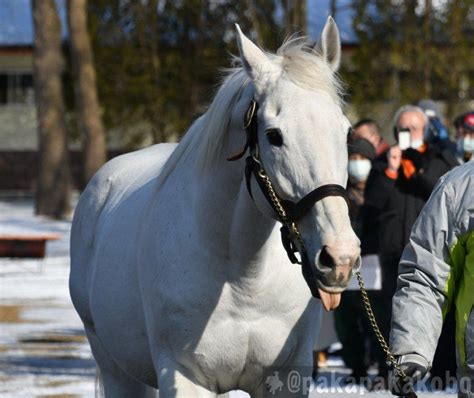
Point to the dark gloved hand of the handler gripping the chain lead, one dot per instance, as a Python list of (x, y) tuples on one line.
[(415, 367)]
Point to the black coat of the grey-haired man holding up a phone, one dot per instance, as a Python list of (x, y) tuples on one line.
[(392, 206)]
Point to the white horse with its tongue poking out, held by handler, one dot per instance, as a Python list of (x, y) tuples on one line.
[(179, 274)]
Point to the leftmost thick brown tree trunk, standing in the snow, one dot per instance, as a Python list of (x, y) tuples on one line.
[(53, 185)]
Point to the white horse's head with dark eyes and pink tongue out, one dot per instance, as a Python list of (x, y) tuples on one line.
[(300, 141)]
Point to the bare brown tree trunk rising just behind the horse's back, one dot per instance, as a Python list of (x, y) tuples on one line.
[(86, 100)]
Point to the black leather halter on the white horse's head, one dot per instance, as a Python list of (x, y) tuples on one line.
[(294, 211)]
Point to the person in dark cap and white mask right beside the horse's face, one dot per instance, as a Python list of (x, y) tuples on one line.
[(352, 326)]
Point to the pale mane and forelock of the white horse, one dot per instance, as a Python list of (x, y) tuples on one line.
[(300, 63)]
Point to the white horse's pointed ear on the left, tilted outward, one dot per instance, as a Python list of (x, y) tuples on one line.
[(254, 60)]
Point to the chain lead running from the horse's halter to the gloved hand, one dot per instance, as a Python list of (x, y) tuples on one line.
[(365, 298)]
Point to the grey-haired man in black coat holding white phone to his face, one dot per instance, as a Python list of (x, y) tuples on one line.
[(397, 189)]
